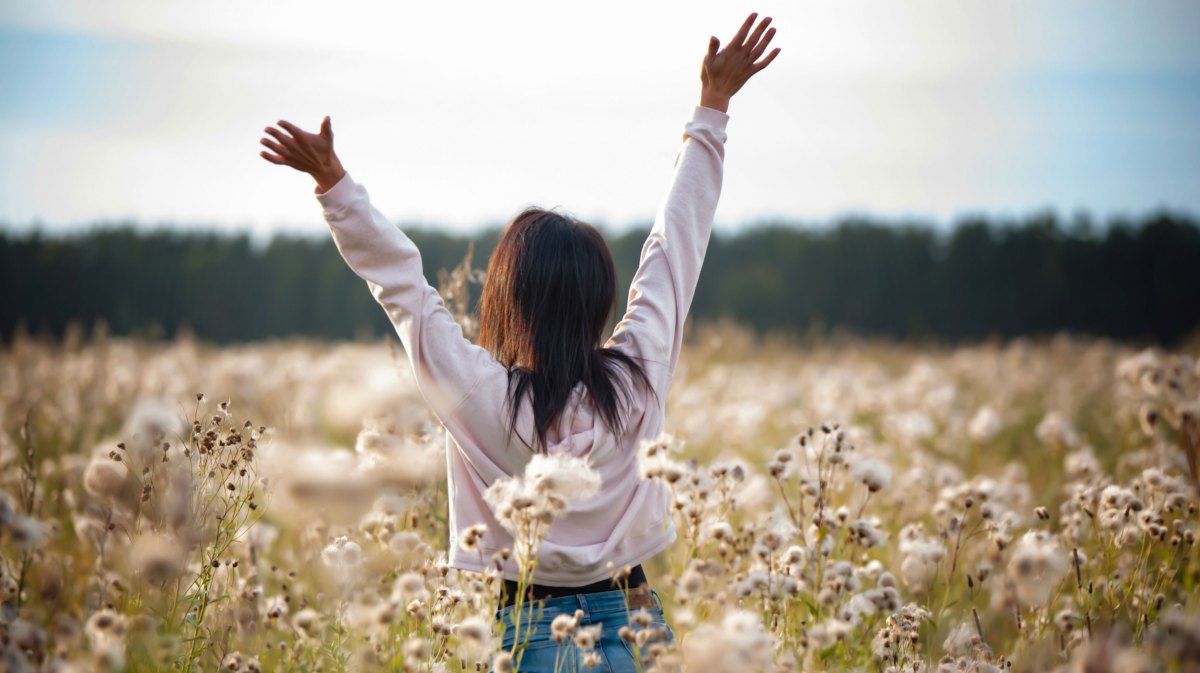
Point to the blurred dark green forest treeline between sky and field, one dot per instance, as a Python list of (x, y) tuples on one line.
[(1136, 280)]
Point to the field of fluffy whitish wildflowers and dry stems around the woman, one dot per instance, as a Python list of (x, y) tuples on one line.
[(841, 507)]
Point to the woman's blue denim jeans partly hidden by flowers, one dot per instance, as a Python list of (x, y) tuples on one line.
[(542, 654)]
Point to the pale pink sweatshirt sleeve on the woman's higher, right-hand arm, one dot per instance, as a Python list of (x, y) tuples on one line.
[(665, 283)]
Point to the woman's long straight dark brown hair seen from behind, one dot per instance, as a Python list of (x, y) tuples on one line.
[(550, 292)]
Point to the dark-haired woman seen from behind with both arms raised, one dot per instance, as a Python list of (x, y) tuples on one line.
[(541, 381)]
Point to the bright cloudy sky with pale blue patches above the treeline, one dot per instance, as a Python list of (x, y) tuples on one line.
[(459, 116)]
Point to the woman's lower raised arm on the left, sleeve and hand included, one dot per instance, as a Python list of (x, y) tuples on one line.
[(446, 364)]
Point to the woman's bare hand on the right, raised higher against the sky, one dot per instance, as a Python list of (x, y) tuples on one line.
[(725, 71)]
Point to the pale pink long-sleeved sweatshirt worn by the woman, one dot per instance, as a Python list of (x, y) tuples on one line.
[(627, 522)]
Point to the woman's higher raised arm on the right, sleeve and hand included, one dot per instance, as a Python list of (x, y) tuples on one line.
[(665, 283)]
